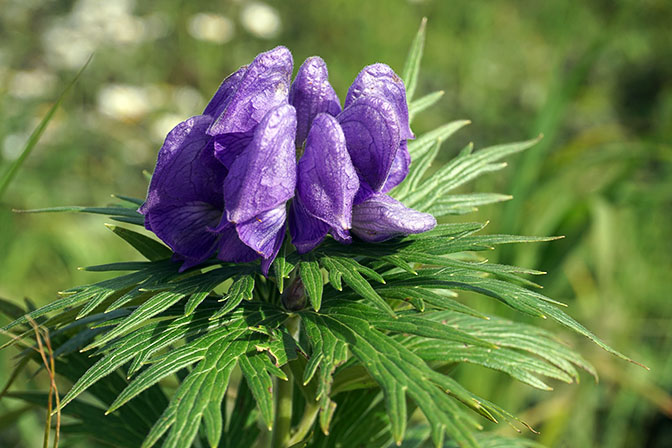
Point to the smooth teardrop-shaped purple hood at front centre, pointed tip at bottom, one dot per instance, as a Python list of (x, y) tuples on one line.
[(326, 179)]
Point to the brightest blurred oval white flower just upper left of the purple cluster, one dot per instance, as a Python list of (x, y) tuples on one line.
[(124, 102)]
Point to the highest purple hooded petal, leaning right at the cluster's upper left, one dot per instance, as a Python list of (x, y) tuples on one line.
[(264, 86)]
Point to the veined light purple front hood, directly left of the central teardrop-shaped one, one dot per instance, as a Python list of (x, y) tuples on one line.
[(264, 175)]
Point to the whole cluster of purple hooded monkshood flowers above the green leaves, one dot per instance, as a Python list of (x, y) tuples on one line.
[(267, 151)]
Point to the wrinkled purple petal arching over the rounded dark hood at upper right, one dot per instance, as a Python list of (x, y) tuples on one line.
[(380, 79)]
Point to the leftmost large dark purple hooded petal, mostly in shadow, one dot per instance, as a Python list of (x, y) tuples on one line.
[(185, 194)]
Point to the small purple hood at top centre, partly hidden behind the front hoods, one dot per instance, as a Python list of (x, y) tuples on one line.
[(312, 94)]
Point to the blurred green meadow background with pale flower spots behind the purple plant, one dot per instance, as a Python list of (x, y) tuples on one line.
[(595, 77)]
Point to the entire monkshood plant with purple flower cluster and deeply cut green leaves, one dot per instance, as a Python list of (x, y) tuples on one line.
[(302, 294)]
